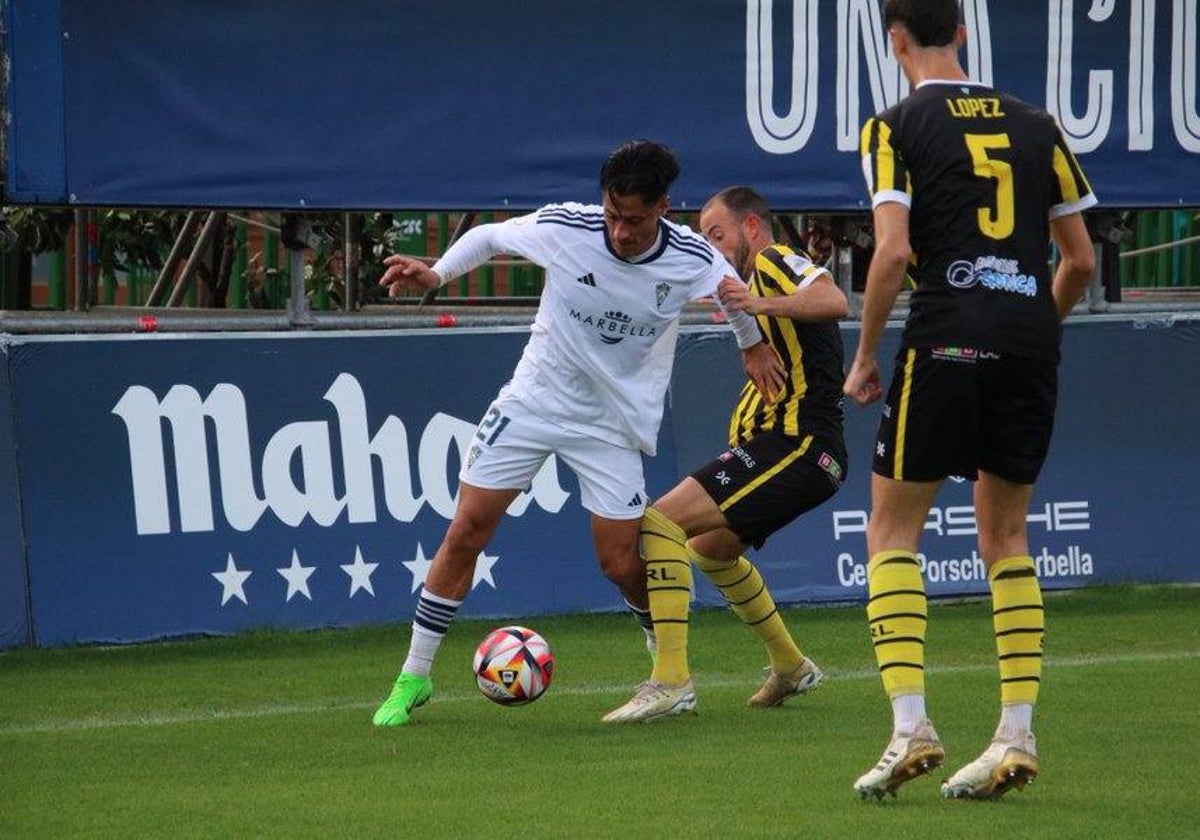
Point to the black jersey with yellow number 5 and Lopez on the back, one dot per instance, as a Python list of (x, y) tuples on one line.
[(983, 176)]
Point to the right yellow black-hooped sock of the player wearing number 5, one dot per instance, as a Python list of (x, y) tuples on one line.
[(1019, 620)]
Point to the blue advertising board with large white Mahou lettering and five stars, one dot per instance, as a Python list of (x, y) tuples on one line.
[(219, 484)]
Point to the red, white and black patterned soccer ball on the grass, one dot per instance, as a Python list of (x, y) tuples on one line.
[(514, 667)]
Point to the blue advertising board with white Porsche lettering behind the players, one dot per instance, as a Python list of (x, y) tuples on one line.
[(1114, 505)]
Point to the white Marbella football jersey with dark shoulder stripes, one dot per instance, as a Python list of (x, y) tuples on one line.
[(603, 344)]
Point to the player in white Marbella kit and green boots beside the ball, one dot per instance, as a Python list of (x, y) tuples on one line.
[(590, 386)]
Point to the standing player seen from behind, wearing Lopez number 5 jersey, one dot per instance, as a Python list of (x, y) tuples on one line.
[(969, 187)]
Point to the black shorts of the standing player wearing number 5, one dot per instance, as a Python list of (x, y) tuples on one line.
[(955, 411)]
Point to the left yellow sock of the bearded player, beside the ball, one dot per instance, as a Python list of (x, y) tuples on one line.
[(669, 585)]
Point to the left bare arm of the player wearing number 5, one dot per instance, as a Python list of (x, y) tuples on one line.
[(885, 279)]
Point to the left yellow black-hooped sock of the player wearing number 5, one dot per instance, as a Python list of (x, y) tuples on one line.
[(897, 615)]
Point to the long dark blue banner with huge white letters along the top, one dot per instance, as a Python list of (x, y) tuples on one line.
[(429, 105)]
